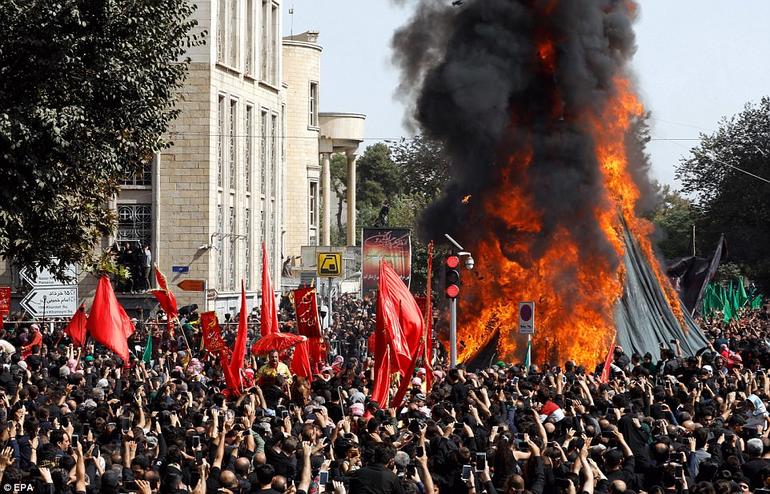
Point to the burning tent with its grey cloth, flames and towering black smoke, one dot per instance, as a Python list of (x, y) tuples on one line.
[(535, 105)]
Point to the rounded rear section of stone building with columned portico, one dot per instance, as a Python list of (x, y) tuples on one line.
[(310, 134)]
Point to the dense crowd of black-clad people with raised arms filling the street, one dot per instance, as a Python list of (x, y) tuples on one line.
[(77, 420)]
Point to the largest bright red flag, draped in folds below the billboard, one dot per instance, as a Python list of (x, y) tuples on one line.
[(399, 331)]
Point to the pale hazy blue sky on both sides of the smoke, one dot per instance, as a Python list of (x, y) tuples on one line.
[(697, 60)]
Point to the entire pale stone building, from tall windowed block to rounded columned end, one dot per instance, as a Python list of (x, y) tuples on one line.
[(249, 164)]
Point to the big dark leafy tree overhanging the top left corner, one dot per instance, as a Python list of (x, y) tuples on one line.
[(86, 94)]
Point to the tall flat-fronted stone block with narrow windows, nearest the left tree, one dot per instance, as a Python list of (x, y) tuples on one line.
[(206, 204)]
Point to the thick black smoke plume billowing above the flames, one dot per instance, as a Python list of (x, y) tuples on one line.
[(475, 77)]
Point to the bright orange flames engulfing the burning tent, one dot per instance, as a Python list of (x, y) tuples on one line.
[(575, 319)]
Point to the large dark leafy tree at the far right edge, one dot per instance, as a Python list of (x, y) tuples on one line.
[(729, 200)]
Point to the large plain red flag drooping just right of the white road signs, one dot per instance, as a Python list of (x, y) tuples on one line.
[(108, 323)]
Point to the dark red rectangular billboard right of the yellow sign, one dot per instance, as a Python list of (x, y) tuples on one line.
[(394, 245)]
